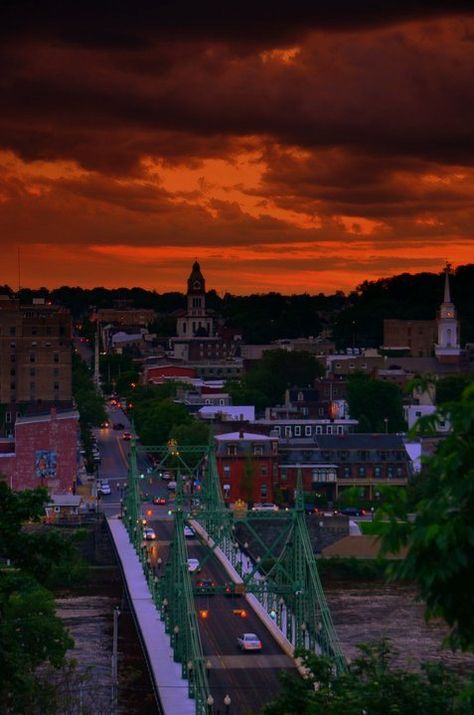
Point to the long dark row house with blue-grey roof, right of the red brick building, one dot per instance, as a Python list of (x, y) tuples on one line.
[(331, 463)]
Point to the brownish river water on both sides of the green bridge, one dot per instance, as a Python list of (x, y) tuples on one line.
[(361, 610)]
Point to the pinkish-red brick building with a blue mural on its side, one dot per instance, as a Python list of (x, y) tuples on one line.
[(43, 452)]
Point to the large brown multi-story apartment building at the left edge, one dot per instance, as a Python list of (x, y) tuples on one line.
[(35, 354)]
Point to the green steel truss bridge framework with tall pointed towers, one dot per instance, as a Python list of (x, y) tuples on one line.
[(283, 578)]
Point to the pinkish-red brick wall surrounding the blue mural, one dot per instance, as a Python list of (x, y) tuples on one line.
[(58, 434)]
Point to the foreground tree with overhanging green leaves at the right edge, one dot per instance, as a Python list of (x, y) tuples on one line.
[(440, 541)]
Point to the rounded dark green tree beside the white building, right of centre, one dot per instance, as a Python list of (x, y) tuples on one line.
[(376, 404)]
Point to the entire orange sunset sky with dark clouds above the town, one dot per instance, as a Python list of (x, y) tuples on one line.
[(287, 147)]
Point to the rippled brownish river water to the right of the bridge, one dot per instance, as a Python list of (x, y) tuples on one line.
[(366, 611)]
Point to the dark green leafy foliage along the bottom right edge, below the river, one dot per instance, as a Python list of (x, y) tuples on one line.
[(370, 686)]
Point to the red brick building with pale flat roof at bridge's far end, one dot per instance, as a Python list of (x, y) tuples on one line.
[(247, 464)]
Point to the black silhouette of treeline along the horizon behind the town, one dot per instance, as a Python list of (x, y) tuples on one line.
[(354, 320)]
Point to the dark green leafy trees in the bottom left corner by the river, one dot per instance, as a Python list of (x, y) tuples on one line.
[(31, 635)]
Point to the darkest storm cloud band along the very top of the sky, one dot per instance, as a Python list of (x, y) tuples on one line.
[(130, 25)]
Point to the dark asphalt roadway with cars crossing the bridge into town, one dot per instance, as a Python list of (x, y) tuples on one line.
[(250, 679)]
